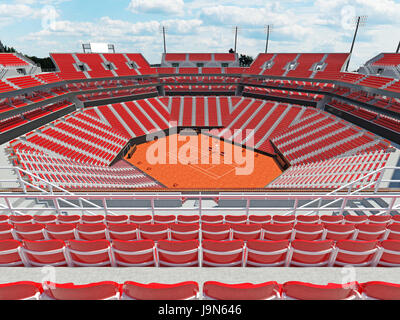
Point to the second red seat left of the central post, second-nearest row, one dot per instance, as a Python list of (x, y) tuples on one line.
[(134, 253)]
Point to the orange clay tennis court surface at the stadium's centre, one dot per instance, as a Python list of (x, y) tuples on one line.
[(201, 175)]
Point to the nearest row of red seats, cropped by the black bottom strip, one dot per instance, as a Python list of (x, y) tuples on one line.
[(212, 290)]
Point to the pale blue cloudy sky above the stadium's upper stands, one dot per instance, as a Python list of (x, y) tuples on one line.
[(37, 27)]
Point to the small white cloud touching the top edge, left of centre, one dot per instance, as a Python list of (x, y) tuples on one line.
[(157, 6)]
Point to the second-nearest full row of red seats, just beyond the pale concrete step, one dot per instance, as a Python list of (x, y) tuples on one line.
[(165, 253)]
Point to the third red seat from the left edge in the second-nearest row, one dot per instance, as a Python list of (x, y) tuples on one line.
[(89, 253)]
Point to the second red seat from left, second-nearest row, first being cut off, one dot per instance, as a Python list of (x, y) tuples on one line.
[(45, 253)]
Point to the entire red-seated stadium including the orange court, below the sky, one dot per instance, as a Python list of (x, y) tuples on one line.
[(199, 178)]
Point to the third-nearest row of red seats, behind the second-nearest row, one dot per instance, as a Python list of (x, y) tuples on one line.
[(195, 231)]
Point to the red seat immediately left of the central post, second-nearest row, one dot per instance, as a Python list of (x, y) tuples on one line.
[(178, 253)]
